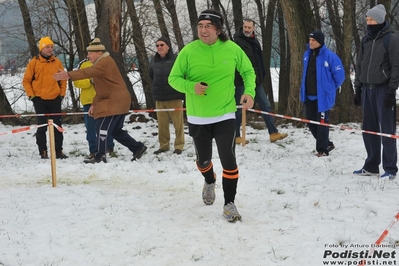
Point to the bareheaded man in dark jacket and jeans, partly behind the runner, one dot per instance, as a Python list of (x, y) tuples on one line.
[(245, 38)]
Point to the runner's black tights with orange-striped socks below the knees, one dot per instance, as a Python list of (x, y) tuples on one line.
[(224, 135)]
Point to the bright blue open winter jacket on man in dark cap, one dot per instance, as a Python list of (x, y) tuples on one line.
[(330, 75)]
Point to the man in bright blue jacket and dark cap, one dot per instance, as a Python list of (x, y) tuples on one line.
[(322, 75)]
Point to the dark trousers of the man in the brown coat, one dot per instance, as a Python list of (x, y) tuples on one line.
[(112, 126)]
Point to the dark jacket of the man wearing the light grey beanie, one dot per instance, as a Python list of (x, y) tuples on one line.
[(377, 65)]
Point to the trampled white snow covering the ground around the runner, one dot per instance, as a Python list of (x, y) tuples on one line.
[(295, 206)]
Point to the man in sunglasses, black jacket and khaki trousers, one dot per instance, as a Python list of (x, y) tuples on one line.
[(166, 97)]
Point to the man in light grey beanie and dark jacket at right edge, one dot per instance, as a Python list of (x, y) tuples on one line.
[(376, 82)]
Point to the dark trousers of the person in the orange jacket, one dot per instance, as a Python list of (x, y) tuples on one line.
[(46, 107)]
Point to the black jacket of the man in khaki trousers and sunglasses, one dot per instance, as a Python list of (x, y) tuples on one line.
[(159, 71)]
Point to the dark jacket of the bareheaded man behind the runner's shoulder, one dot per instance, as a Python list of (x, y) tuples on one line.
[(251, 47)]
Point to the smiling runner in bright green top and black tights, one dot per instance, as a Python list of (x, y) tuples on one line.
[(204, 70)]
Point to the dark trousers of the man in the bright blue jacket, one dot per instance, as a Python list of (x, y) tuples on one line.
[(320, 133)]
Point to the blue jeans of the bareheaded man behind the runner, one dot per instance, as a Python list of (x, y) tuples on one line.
[(264, 103)]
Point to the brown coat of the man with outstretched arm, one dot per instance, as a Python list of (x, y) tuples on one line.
[(112, 96)]
